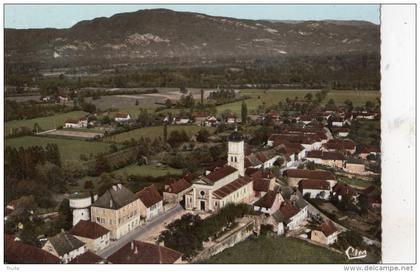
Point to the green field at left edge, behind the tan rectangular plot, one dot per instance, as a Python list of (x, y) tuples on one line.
[(46, 123)]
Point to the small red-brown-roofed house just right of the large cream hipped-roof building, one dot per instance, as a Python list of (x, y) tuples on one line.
[(151, 202)]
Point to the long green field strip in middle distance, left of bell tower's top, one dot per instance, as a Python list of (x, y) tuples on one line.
[(153, 132)]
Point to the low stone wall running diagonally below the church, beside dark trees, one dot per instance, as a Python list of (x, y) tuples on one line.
[(244, 230)]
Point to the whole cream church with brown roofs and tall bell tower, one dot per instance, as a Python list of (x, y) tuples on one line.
[(223, 185)]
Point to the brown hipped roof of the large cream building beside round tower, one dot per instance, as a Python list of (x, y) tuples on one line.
[(115, 198)]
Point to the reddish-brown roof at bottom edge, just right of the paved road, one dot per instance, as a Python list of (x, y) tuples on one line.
[(137, 252)]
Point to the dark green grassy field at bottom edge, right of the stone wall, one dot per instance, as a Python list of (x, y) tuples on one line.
[(276, 250)]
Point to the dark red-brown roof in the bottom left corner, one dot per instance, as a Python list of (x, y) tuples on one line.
[(16, 252)]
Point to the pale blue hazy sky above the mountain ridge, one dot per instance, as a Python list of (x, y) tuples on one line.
[(64, 16)]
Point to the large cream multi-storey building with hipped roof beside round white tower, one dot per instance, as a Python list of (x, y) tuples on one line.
[(117, 210)]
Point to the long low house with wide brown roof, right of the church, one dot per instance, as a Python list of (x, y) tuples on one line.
[(295, 175)]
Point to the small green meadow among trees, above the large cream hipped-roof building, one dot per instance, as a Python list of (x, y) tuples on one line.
[(147, 170)]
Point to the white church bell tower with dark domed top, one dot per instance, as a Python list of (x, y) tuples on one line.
[(236, 153)]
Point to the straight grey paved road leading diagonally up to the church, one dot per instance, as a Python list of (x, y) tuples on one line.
[(136, 233)]
